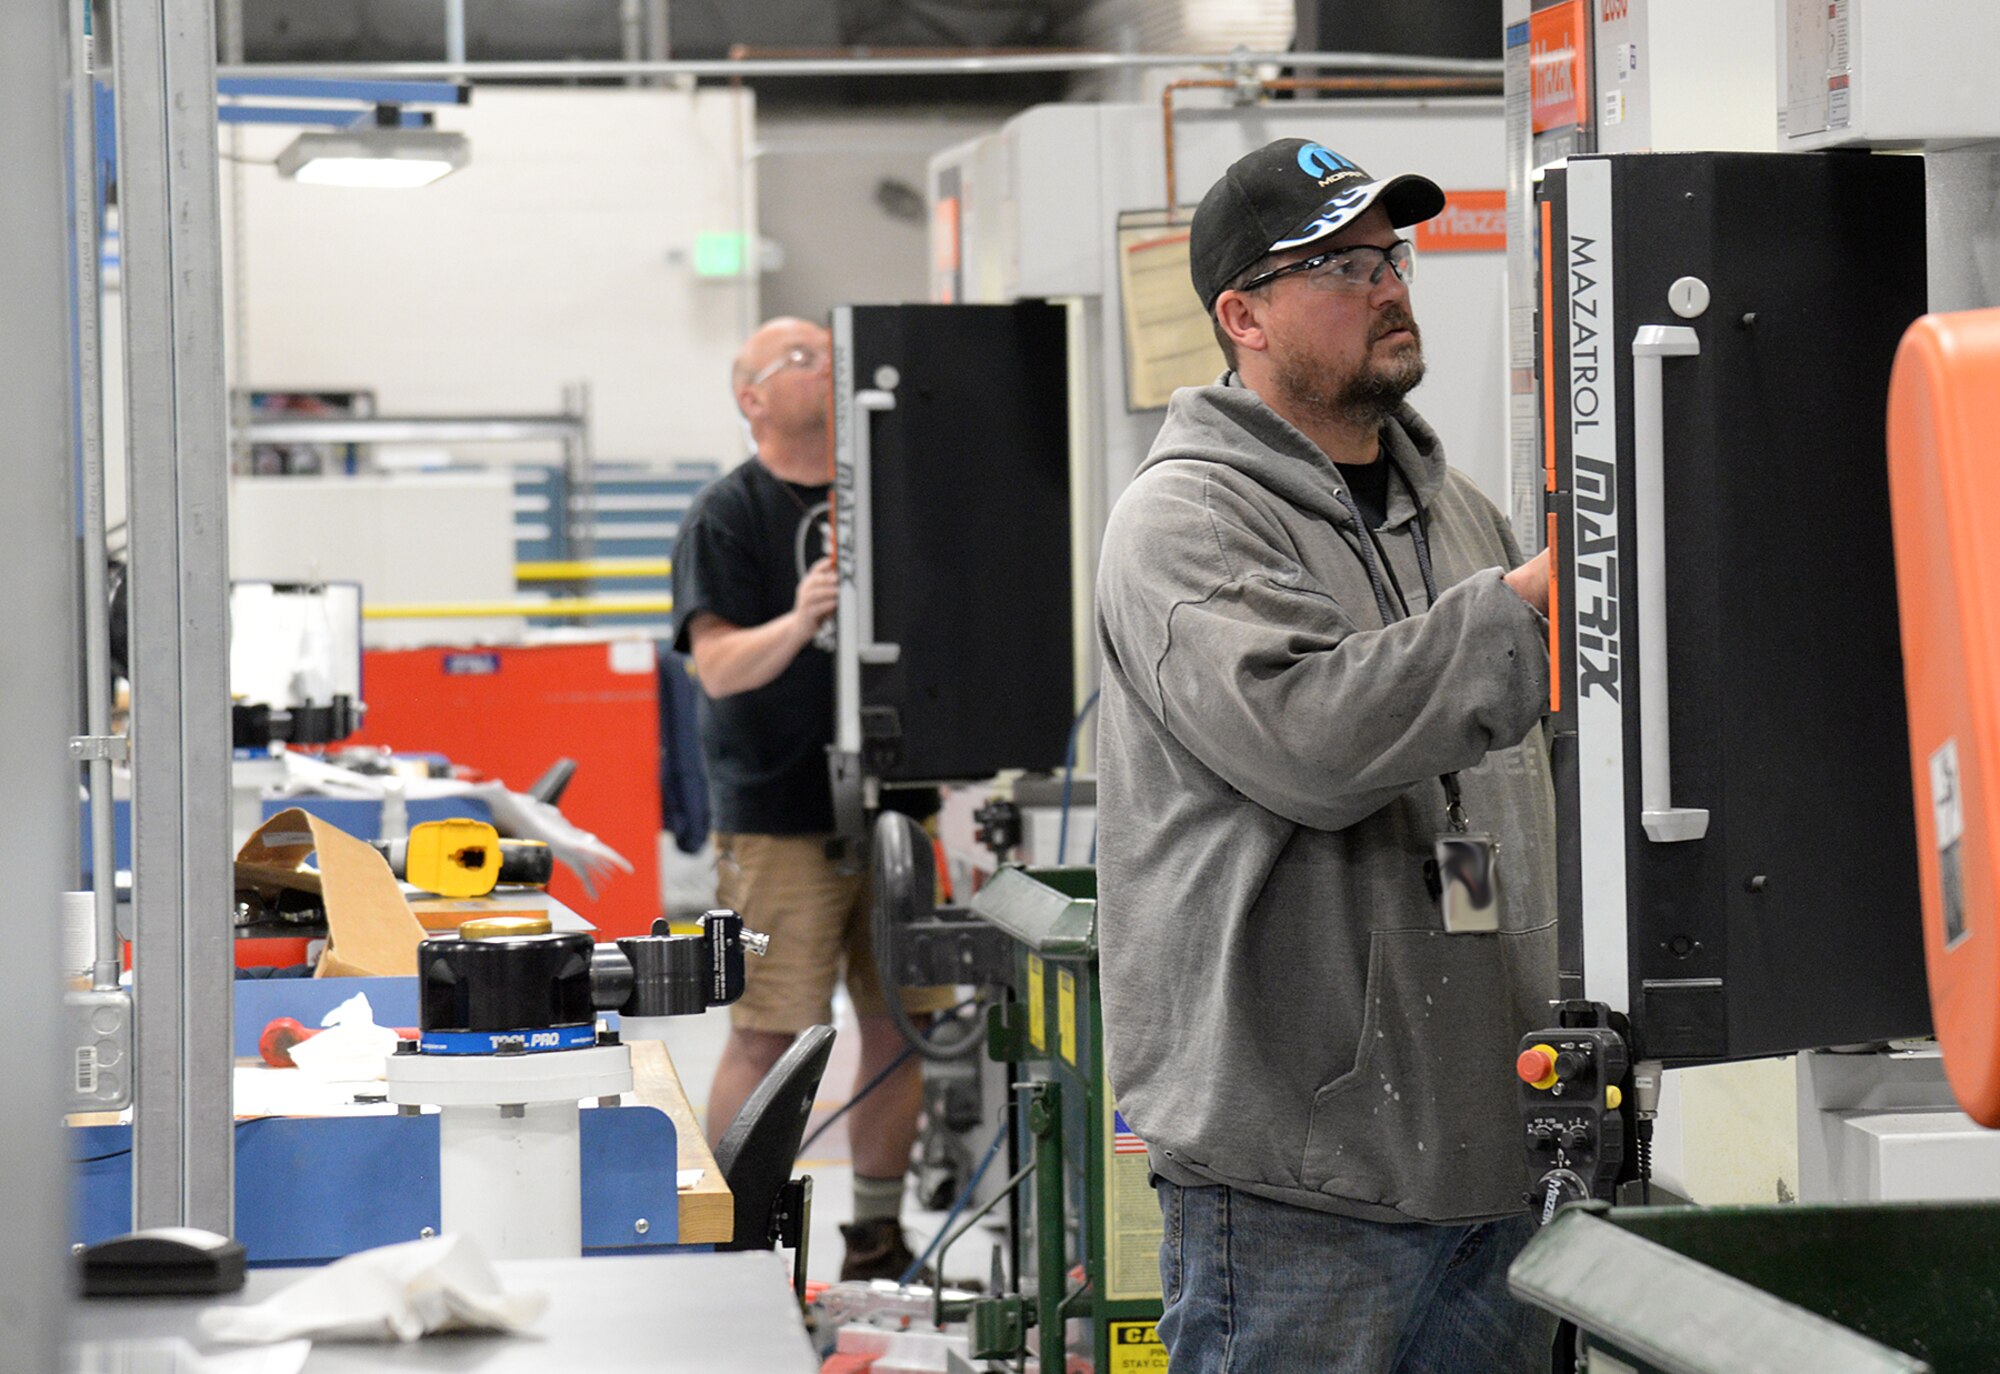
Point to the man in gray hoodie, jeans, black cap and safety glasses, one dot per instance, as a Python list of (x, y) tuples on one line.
[(1323, 655)]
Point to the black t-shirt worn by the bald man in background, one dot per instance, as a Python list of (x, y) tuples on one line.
[(741, 555)]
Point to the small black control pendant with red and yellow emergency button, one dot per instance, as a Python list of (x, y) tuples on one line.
[(1571, 1109)]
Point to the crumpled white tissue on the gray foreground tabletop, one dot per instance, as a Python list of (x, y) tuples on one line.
[(393, 1293)]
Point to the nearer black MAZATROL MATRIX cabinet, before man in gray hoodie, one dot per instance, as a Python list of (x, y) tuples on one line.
[(1793, 923)]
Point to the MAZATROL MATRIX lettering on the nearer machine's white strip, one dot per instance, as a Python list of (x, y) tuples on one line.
[(1597, 487)]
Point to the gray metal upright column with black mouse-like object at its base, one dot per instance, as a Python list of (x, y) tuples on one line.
[(177, 443)]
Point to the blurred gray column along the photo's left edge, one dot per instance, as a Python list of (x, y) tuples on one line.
[(37, 635)]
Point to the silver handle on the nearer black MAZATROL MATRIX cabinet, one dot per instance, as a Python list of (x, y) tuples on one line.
[(1661, 819)]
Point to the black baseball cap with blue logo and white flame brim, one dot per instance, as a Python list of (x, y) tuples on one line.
[(1285, 195)]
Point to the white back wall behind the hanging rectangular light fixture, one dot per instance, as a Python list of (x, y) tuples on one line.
[(561, 255)]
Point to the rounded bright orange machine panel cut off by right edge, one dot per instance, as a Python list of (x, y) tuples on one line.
[(1945, 493)]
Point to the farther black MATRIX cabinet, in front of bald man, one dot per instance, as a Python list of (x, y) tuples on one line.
[(969, 477)]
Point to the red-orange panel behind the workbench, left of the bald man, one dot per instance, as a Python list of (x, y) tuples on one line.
[(511, 713)]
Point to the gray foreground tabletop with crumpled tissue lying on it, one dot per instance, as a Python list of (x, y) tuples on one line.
[(657, 1313)]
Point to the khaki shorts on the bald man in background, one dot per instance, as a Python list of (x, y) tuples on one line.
[(817, 917)]
